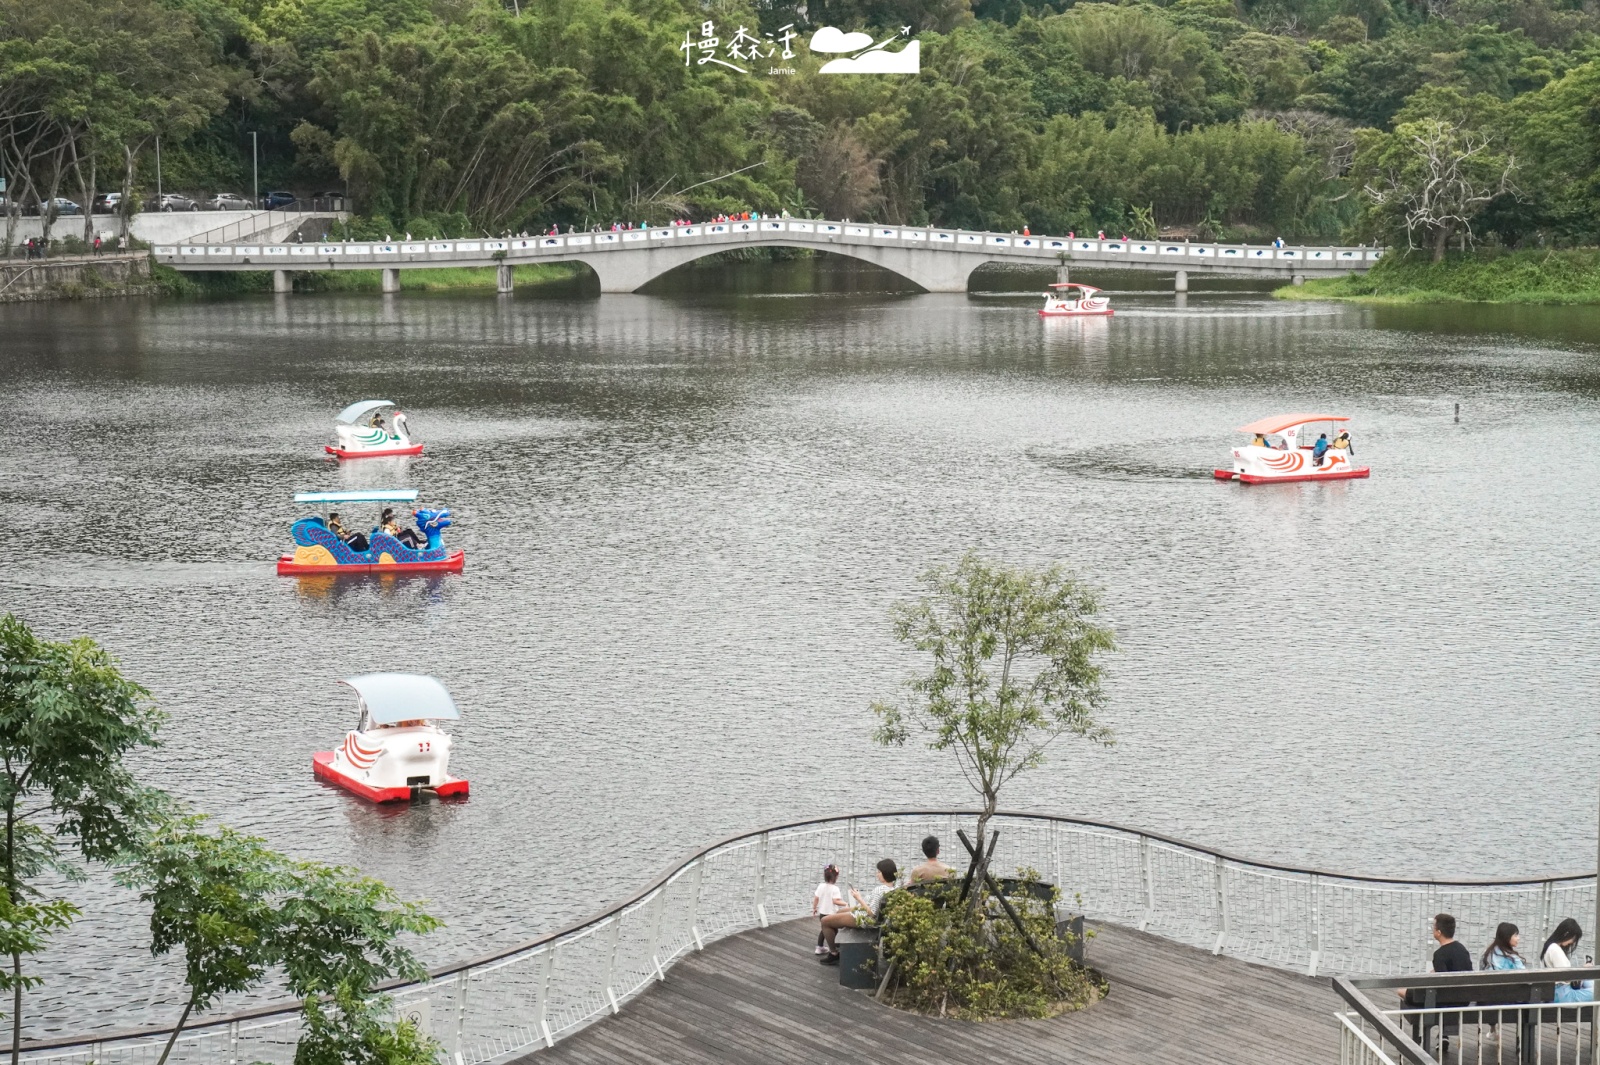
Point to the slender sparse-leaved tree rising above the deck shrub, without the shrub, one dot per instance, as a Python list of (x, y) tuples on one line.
[(1014, 669)]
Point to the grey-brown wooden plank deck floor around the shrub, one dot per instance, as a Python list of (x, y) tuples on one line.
[(762, 997)]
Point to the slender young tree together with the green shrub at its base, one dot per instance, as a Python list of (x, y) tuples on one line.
[(1015, 666)]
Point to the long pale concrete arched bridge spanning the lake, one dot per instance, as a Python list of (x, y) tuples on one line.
[(938, 260)]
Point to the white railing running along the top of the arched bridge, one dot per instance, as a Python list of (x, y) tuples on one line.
[(810, 233)]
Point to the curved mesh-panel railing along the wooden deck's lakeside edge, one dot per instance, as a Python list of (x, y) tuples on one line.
[(543, 991)]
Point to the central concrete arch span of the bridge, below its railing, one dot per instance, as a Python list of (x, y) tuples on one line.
[(628, 271)]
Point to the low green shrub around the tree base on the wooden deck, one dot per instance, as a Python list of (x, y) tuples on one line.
[(951, 960)]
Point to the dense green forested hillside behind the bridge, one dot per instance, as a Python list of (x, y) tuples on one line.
[(1306, 119)]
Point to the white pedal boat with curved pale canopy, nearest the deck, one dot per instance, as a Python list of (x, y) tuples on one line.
[(396, 752)]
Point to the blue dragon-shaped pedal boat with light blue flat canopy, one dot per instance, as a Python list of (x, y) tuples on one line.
[(321, 552)]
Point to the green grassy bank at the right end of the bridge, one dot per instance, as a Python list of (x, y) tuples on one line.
[(1479, 277)]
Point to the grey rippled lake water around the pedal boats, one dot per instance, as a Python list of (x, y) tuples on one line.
[(687, 516)]
